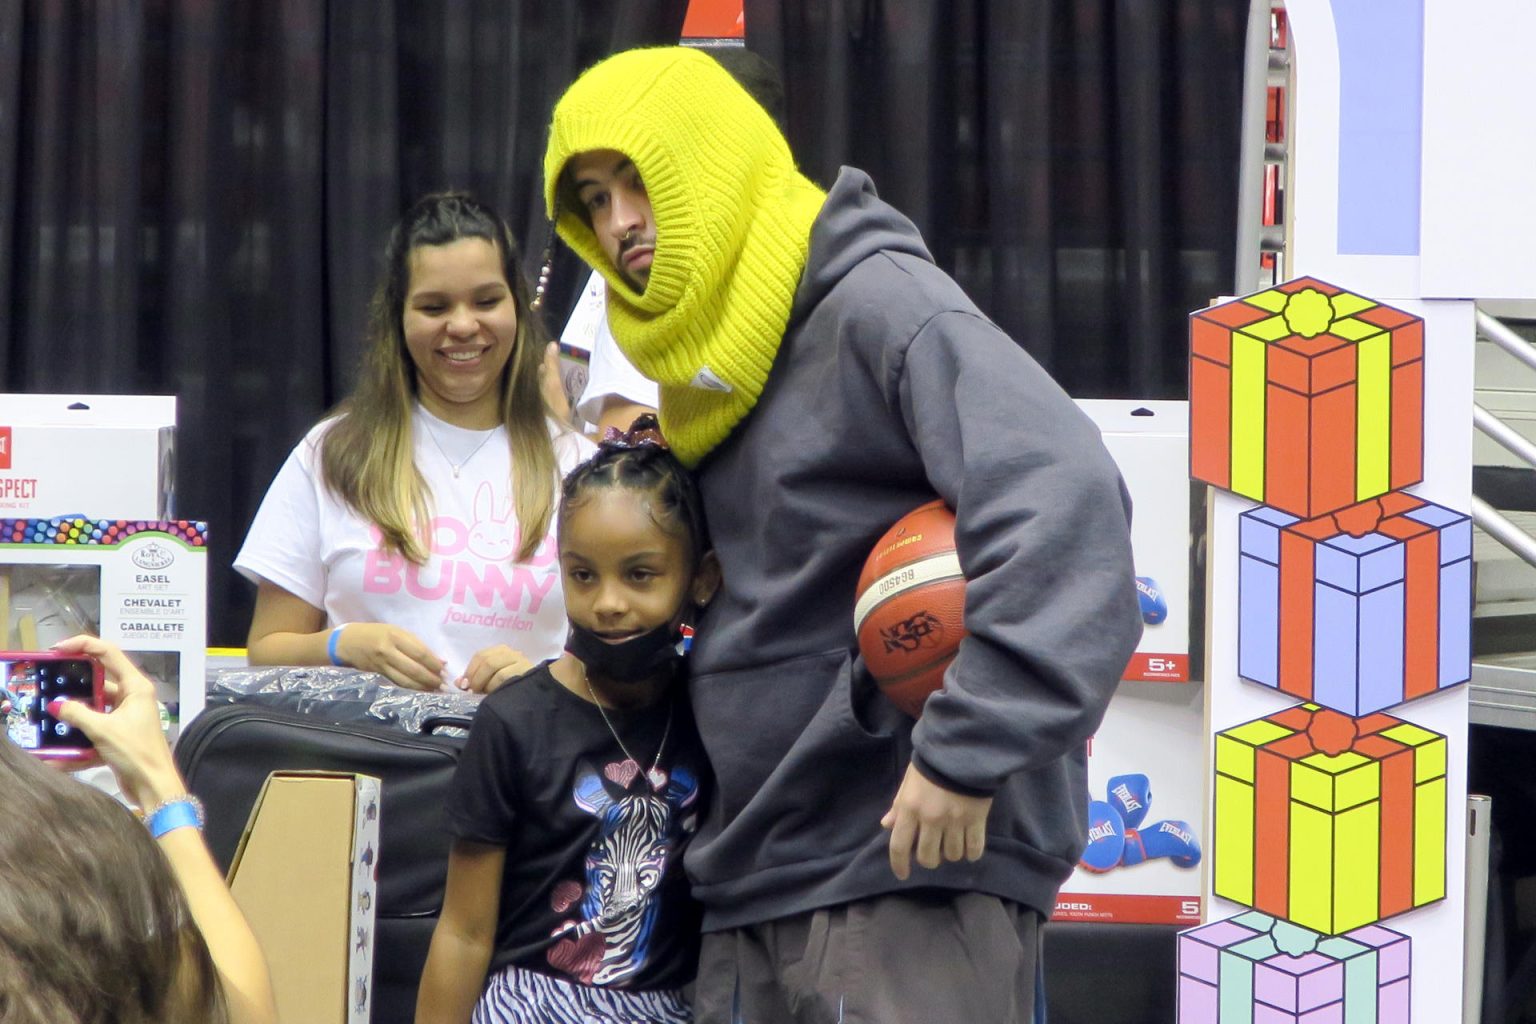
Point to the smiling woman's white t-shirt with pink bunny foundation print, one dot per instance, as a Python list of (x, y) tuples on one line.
[(468, 596)]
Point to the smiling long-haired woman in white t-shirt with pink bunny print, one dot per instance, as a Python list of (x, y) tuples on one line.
[(412, 532)]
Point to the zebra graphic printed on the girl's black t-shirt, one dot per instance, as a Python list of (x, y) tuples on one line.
[(638, 833)]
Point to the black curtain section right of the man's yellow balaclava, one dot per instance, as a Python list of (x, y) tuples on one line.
[(1073, 164)]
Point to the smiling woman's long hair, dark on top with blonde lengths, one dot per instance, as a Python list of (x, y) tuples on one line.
[(366, 457)]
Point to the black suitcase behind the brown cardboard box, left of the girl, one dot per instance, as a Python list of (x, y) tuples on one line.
[(228, 753)]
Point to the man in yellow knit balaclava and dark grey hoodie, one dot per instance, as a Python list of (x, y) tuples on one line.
[(823, 378)]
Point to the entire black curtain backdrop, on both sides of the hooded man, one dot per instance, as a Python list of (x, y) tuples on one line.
[(194, 193)]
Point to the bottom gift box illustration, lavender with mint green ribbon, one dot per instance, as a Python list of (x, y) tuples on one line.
[(1254, 969)]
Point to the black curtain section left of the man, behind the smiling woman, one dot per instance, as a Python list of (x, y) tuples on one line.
[(194, 197)]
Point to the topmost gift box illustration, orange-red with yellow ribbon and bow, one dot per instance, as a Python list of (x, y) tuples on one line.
[(1306, 398)]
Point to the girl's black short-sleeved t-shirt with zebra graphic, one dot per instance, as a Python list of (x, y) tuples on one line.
[(594, 888)]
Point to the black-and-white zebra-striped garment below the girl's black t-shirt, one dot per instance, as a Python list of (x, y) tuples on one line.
[(526, 997)]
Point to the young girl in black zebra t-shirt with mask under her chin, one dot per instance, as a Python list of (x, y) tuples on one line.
[(581, 782)]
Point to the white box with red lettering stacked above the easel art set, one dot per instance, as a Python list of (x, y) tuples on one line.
[(87, 457)]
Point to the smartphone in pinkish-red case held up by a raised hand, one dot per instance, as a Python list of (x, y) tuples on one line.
[(31, 682)]
